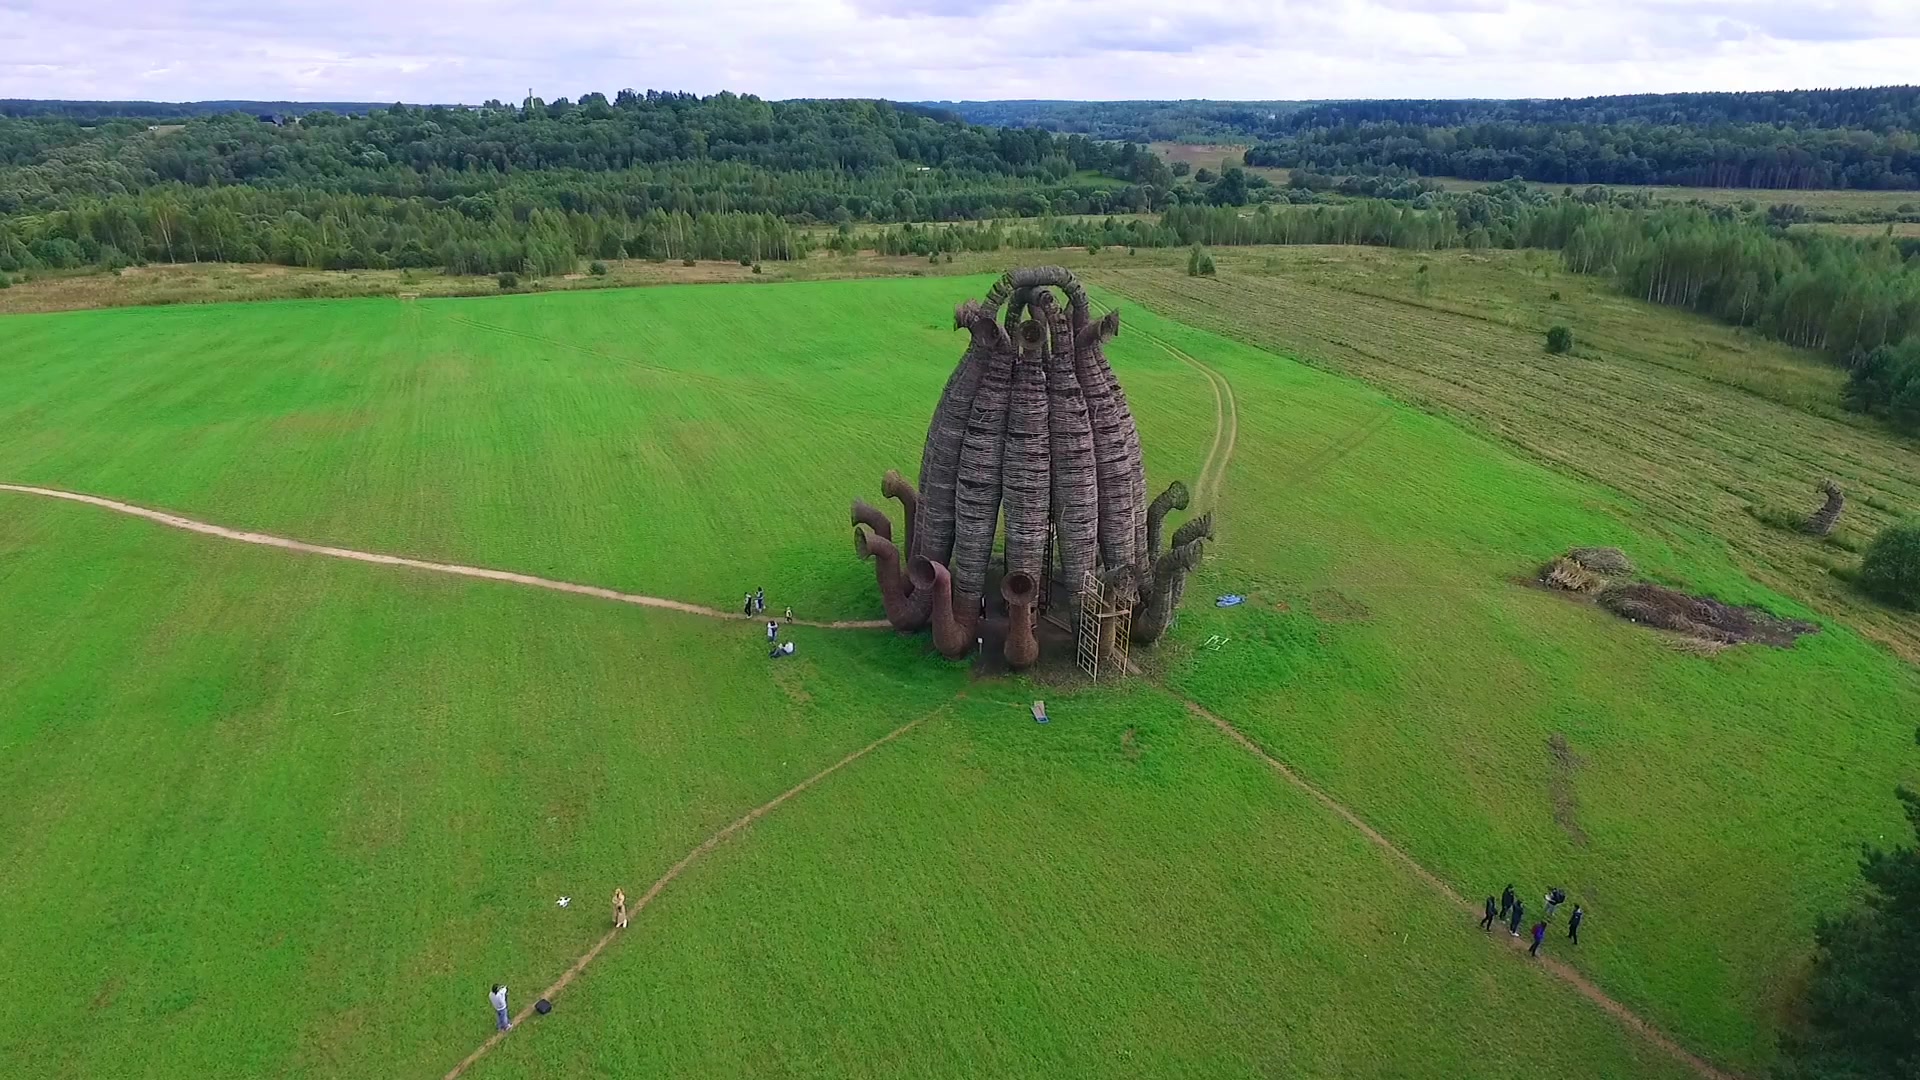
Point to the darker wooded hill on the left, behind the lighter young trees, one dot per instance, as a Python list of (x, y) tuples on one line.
[(456, 151)]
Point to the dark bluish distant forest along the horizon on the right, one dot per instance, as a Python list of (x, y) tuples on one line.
[(1790, 139)]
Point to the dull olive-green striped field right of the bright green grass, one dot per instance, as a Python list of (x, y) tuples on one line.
[(1708, 431)]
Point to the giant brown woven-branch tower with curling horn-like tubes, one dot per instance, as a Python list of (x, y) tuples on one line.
[(1034, 430)]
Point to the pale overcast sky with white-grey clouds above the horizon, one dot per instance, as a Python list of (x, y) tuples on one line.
[(469, 51)]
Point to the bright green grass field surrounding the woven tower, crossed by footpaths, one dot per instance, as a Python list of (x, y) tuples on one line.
[(272, 814)]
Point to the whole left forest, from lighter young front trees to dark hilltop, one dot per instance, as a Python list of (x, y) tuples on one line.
[(527, 187)]
